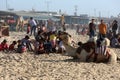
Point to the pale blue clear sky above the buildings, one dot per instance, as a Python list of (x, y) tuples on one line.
[(103, 8)]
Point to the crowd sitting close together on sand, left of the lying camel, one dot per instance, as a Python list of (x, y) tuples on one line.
[(44, 42)]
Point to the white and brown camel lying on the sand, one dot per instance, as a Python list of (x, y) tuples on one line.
[(85, 49)]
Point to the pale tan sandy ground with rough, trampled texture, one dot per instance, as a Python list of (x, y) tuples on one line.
[(28, 66)]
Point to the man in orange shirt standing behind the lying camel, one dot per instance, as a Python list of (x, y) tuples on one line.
[(102, 30)]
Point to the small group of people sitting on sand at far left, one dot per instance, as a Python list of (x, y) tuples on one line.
[(22, 45)]
